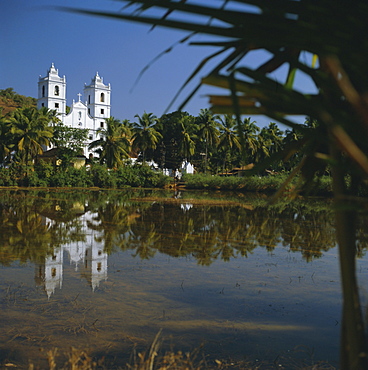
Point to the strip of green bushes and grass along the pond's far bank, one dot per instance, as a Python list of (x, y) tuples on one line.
[(138, 175)]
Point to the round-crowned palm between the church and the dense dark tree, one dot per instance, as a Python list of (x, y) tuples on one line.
[(145, 136)]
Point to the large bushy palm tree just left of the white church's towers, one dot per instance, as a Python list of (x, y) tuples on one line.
[(31, 131)]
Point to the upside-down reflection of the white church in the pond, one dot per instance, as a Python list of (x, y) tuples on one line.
[(87, 256)]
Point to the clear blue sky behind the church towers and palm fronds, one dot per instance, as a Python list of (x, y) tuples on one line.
[(32, 36)]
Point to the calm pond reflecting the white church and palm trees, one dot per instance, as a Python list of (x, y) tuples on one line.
[(222, 274)]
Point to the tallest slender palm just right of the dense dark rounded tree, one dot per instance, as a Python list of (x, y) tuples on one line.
[(208, 131)]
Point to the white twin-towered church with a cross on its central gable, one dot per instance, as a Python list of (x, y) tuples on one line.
[(87, 114)]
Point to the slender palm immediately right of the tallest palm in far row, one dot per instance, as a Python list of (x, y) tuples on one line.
[(228, 139)]
